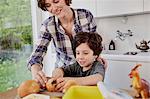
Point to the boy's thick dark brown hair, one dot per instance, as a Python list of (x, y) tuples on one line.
[(94, 41)]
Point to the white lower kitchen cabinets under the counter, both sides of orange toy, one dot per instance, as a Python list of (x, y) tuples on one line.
[(117, 73)]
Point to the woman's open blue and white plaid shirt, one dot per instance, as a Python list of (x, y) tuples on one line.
[(51, 30)]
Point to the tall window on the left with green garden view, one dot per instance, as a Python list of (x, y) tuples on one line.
[(15, 42)]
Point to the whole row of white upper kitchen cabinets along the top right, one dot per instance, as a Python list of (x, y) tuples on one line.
[(110, 8)]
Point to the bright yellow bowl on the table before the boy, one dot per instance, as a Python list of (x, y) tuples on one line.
[(83, 92)]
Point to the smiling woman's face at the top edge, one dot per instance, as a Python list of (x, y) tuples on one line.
[(57, 7)]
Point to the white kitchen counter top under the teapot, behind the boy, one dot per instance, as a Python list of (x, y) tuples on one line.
[(119, 56)]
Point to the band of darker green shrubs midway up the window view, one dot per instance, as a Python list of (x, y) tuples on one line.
[(15, 38)]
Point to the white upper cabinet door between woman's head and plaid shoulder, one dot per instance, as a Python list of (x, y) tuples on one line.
[(86, 4)]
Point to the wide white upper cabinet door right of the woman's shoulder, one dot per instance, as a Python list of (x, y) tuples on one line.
[(118, 7)]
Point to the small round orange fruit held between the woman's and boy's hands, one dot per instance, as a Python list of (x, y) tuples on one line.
[(51, 84)]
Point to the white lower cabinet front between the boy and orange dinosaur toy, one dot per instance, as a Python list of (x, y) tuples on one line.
[(117, 74)]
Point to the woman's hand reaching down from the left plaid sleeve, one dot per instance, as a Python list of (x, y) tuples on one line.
[(38, 75)]
